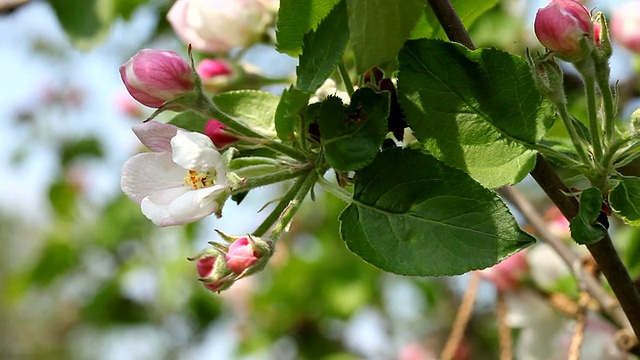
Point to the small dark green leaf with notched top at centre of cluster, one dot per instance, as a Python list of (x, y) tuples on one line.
[(352, 137)]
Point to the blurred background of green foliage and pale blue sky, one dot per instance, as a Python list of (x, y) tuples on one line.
[(84, 275)]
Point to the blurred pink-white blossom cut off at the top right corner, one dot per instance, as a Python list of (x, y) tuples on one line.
[(625, 25)]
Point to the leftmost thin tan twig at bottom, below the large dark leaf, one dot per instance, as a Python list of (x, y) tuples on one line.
[(462, 318)]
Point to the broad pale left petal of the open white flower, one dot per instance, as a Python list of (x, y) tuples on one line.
[(148, 173)]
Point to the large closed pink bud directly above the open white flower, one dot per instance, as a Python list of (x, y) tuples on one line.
[(154, 77)]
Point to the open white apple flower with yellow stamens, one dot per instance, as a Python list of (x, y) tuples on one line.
[(183, 180)]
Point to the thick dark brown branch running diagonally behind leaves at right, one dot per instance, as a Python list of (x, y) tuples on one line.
[(603, 251)]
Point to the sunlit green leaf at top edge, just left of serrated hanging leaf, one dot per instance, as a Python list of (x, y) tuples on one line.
[(295, 19)]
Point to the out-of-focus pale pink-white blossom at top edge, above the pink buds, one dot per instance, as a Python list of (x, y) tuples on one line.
[(217, 26)]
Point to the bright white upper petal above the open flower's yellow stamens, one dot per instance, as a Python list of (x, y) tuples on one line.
[(193, 150)]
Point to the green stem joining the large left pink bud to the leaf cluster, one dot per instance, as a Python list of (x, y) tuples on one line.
[(206, 107)]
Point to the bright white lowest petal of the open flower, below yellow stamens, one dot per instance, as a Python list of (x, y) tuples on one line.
[(197, 204)]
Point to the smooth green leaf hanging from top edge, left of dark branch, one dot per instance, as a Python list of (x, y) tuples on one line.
[(379, 28)]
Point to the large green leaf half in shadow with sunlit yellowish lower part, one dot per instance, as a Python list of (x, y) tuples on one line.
[(475, 110)]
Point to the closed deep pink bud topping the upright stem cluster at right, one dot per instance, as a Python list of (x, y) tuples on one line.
[(561, 25)]
